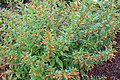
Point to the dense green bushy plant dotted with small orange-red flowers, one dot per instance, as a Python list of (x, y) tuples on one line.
[(51, 40)]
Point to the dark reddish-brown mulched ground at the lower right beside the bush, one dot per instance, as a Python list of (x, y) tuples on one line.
[(109, 69)]
